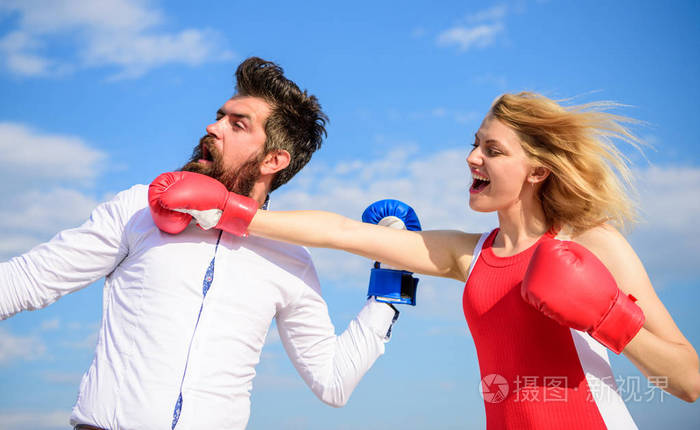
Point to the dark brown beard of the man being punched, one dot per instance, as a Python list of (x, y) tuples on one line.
[(240, 181)]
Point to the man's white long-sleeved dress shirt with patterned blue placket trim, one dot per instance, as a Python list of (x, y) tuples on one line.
[(162, 337)]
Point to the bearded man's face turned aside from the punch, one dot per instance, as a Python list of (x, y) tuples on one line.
[(232, 150)]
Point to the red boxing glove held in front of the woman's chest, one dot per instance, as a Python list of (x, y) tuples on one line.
[(566, 282)]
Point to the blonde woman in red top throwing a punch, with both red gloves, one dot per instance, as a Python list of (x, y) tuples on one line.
[(549, 289)]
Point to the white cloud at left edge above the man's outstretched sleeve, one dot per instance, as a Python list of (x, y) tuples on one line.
[(37, 185)]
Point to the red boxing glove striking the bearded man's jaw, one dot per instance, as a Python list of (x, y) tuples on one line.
[(176, 197)]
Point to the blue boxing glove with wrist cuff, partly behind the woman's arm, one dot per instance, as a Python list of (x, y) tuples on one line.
[(389, 285)]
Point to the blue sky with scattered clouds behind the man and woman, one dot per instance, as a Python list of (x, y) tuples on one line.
[(100, 95)]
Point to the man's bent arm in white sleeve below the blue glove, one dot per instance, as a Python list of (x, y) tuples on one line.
[(331, 365)]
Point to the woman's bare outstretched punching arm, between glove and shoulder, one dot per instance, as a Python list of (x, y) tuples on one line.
[(444, 253)]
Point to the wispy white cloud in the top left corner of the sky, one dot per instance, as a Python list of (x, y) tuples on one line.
[(120, 33)]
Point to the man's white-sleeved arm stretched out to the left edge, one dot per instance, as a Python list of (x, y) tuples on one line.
[(70, 261)]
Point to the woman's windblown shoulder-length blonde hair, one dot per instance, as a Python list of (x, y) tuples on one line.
[(590, 180)]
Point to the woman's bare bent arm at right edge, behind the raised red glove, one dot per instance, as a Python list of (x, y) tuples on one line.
[(659, 349)]
